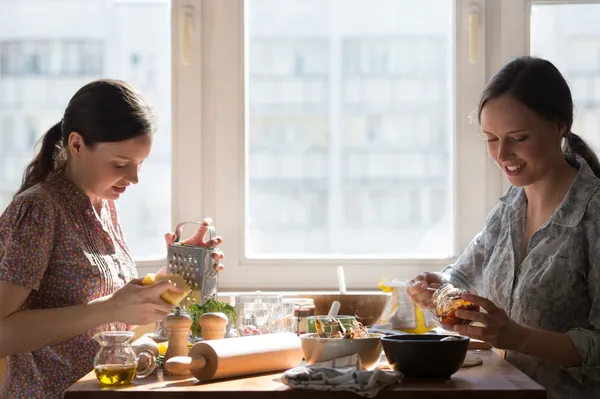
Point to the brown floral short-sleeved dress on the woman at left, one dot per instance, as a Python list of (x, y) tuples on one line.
[(53, 242)]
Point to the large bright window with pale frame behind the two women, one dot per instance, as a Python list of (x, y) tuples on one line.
[(315, 133)]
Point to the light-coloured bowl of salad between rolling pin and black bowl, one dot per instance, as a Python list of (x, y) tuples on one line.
[(318, 350)]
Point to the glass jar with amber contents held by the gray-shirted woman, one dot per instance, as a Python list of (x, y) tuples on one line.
[(447, 300)]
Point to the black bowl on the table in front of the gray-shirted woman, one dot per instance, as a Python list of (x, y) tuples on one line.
[(425, 356)]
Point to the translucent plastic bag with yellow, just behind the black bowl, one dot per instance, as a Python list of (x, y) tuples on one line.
[(401, 314)]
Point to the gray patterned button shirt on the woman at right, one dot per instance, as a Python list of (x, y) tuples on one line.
[(555, 288)]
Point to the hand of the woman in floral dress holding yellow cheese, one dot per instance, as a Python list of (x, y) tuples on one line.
[(136, 304)]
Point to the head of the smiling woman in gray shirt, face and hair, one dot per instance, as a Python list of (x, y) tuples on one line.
[(526, 112)]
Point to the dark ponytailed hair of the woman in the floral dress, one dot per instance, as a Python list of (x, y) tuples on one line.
[(101, 111)]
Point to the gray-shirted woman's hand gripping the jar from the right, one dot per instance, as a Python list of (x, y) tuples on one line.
[(499, 330)]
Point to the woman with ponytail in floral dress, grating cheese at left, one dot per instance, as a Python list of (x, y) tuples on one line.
[(66, 272)]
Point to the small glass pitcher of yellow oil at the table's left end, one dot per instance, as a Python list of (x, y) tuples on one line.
[(116, 363)]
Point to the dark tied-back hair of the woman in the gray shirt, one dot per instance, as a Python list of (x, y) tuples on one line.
[(539, 85)]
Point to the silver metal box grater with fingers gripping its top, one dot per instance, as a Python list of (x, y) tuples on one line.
[(197, 260)]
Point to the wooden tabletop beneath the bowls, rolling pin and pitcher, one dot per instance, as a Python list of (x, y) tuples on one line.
[(496, 378)]
